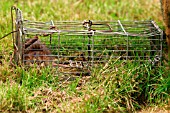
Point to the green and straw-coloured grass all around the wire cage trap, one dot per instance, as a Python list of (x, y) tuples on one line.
[(119, 86)]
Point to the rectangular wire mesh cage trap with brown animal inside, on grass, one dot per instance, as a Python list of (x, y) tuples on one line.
[(77, 47)]
